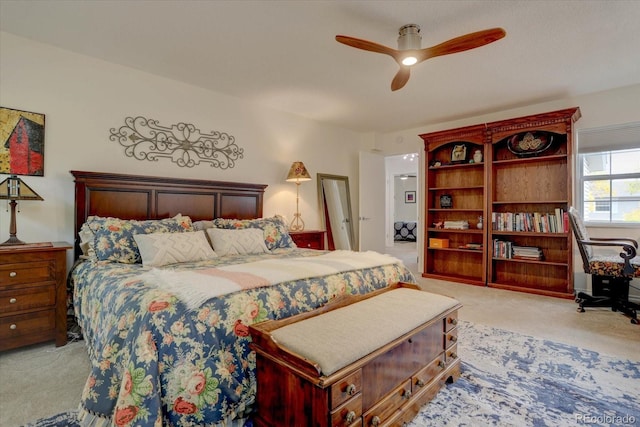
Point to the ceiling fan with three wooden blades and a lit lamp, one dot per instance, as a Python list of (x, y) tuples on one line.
[(410, 53)]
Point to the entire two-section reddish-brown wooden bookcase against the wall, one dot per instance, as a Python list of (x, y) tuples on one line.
[(527, 169)]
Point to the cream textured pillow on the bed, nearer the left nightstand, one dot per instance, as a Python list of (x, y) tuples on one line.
[(157, 249)]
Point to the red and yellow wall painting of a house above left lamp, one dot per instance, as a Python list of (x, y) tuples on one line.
[(21, 142)]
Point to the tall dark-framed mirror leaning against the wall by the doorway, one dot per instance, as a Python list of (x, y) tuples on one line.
[(335, 210)]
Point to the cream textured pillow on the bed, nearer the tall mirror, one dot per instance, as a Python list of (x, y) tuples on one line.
[(237, 242)]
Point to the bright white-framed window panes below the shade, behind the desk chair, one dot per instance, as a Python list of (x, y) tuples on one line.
[(610, 186)]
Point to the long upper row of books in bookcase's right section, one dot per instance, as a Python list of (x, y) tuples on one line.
[(537, 222)]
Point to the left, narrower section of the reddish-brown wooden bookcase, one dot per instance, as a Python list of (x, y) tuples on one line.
[(464, 184)]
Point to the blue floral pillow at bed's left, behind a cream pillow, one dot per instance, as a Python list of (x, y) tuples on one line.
[(113, 240)]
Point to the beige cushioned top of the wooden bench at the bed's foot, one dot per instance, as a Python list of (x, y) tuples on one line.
[(340, 337)]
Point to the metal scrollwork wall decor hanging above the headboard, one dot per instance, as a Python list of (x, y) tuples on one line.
[(145, 139)]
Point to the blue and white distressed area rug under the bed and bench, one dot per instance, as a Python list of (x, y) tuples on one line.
[(510, 379)]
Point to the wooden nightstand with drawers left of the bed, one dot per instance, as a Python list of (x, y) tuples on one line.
[(33, 294)]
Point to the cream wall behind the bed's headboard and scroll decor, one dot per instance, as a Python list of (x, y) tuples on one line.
[(83, 98)]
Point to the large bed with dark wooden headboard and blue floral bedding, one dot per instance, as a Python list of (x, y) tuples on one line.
[(167, 331)]
